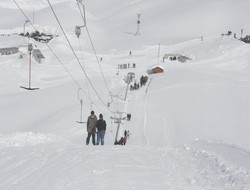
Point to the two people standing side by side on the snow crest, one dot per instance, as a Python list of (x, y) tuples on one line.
[(96, 125)]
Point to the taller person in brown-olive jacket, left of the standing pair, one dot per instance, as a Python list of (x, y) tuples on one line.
[(91, 127)]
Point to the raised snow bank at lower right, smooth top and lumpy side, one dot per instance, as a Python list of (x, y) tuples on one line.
[(224, 158)]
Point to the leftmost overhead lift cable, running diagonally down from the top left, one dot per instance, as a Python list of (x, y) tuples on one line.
[(74, 80)]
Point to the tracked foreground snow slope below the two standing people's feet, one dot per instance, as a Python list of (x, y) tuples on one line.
[(178, 168)]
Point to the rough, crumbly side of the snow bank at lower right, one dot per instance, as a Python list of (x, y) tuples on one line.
[(235, 175)]
